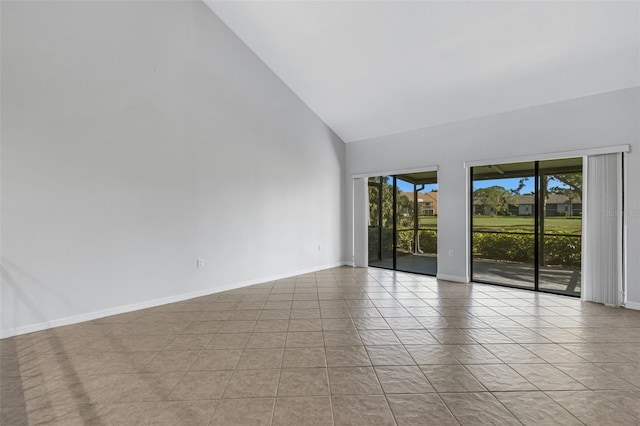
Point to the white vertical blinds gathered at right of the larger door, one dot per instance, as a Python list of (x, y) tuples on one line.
[(602, 237)]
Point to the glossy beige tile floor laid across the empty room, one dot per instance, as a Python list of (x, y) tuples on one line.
[(339, 347)]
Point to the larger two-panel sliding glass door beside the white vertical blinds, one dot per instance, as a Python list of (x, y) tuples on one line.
[(526, 225)]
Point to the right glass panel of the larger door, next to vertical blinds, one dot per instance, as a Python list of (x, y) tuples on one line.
[(560, 226)]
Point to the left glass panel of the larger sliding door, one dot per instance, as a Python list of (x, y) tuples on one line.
[(503, 224)]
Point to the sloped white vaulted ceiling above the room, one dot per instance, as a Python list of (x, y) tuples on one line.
[(373, 68)]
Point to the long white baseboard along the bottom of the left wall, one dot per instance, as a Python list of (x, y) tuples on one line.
[(75, 319)]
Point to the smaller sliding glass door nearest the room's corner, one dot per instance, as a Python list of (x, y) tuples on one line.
[(403, 213)]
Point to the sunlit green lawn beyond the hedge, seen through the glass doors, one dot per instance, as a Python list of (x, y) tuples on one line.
[(572, 225)]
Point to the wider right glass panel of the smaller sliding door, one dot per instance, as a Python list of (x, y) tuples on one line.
[(416, 227)]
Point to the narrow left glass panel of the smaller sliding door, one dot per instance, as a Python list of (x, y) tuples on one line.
[(381, 222)]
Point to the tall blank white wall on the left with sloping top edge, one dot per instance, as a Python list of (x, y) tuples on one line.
[(137, 137)]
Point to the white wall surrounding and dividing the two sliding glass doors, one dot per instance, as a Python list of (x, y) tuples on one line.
[(594, 121)]
